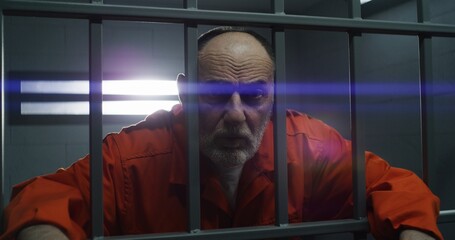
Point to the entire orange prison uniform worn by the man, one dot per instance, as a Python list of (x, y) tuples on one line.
[(145, 185)]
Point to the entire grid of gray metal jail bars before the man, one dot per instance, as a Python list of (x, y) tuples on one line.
[(191, 16)]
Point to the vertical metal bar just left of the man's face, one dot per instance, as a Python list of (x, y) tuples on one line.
[(192, 123)]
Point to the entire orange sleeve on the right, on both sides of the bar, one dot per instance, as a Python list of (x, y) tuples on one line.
[(396, 198)]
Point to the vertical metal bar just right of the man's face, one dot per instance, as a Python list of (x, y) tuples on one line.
[(280, 146)]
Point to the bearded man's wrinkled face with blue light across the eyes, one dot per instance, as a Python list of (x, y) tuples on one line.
[(236, 84)]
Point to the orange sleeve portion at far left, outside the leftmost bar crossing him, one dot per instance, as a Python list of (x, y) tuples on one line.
[(50, 199)]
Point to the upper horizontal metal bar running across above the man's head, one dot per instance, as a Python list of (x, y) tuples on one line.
[(197, 16)]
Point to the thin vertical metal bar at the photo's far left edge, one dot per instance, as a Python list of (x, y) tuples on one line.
[(2, 123)]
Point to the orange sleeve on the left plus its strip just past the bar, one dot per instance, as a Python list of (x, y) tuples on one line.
[(61, 199)]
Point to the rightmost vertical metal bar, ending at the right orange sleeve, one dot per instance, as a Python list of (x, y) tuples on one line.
[(426, 89)]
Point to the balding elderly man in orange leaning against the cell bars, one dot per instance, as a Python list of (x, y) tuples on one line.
[(145, 165)]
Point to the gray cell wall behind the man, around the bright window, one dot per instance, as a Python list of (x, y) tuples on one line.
[(319, 60)]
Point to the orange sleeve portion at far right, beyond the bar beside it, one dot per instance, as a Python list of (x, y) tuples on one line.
[(398, 199)]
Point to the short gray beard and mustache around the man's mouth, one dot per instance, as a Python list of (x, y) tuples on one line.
[(223, 157)]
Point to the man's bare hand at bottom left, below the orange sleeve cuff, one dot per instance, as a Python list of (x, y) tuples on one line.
[(42, 231)]
